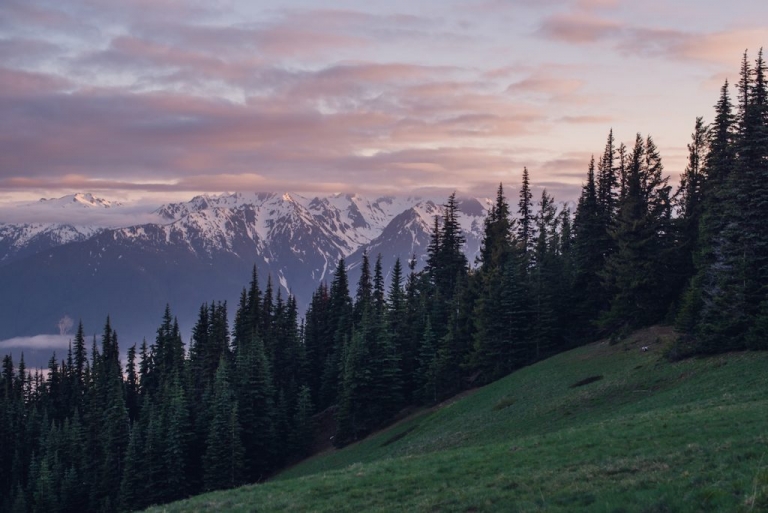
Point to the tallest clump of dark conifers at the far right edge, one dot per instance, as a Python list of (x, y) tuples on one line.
[(723, 308)]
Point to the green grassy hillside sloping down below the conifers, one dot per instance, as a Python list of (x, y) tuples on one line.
[(601, 428)]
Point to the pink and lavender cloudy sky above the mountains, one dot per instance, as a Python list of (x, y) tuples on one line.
[(168, 98)]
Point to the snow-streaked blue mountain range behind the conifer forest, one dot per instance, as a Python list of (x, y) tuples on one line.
[(198, 251)]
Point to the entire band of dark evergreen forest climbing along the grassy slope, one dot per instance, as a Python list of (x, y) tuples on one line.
[(240, 402)]
